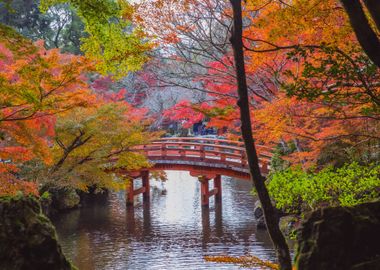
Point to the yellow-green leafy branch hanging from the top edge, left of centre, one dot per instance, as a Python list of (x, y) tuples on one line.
[(112, 42)]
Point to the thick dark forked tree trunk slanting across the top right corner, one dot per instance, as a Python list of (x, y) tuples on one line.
[(359, 22)]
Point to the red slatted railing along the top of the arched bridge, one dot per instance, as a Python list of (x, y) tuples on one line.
[(203, 149)]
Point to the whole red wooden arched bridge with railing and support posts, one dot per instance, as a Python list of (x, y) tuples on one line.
[(205, 158)]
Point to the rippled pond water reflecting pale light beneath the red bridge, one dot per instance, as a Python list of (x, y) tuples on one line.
[(172, 232)]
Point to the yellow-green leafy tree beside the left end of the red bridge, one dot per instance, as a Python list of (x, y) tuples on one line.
[(93, 144)]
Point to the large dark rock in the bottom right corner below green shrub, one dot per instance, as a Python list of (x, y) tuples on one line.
[(341, 238)]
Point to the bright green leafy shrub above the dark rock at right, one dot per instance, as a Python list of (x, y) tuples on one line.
[(294, 190)]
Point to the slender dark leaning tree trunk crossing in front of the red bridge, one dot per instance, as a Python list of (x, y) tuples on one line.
[(271, 218)]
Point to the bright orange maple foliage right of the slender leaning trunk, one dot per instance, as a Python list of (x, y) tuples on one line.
[(327, 90)]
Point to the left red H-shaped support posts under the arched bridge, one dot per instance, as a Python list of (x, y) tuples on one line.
[(145, 189)]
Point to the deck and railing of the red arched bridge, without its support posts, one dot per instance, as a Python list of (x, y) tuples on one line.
[(203, 156)]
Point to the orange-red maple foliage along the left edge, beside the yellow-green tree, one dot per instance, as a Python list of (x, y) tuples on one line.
[(35, 85)]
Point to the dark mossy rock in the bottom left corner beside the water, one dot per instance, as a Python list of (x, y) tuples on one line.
[(28, 239)]
